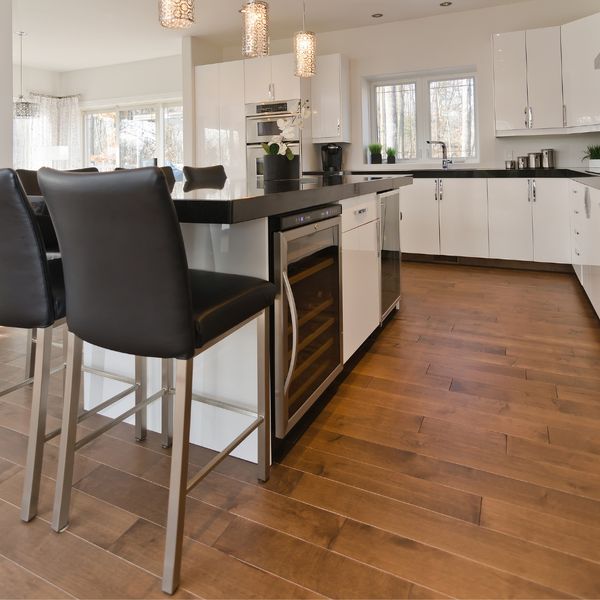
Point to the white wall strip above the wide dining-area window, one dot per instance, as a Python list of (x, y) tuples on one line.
[(156, 79)]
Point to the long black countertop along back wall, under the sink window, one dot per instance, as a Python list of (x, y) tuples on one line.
[(455, 172)]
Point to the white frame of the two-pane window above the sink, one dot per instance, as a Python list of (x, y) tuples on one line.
[(424, 112)]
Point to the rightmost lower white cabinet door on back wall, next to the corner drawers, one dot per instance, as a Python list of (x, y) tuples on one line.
[(551, 220)]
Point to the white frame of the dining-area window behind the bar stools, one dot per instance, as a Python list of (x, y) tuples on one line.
[(159, 107)]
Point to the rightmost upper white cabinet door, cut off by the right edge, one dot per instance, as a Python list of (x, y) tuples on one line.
[(581, 70)]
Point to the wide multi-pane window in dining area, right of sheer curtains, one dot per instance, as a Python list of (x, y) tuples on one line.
[(134, 137)]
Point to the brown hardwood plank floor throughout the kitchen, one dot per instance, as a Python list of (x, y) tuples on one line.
[(461, 458)]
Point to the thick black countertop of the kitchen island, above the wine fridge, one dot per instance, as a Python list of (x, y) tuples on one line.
[(233, 204)]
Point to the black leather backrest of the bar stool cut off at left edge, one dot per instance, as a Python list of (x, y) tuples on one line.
[(26, 298)]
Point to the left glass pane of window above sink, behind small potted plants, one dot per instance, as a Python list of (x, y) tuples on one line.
[(397, 118)]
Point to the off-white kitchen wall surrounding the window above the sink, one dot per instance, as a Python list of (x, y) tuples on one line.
[(450, 41)]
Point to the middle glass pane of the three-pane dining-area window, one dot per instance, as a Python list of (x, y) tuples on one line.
[(137, 137)]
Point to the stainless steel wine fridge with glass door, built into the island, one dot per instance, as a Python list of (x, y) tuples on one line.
[(307, 316)]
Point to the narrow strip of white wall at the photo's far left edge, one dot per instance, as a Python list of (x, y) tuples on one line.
[(6, 98)]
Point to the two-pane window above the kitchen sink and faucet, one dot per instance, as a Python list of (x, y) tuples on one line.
[(407, 113)]
